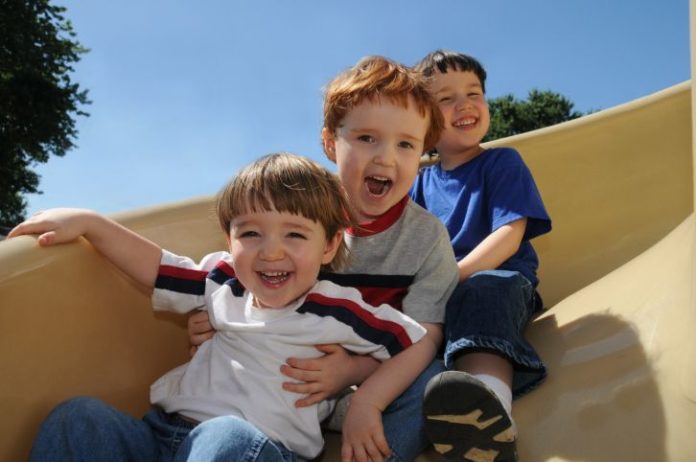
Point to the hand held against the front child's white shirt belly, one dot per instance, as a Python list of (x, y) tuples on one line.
[(319, 378)]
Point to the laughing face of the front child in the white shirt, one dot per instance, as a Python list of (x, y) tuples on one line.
[(277, 255)]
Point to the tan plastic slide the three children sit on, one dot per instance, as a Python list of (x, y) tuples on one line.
[(617, 272)]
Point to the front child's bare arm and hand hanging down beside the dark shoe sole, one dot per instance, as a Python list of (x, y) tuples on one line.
[(363, 433)]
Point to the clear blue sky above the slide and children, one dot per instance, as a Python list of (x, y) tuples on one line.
[(185, 93)]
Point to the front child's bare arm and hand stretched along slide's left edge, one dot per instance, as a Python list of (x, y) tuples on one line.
[(134, 255)]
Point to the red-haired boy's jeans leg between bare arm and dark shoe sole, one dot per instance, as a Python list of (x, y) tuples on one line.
[(404, 424)]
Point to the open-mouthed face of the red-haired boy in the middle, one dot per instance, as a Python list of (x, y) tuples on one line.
[(377, 148)]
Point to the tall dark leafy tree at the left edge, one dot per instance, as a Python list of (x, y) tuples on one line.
[(38, 100)]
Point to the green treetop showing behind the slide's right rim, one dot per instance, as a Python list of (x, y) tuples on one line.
[(511, 116)]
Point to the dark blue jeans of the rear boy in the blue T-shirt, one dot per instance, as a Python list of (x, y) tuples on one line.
[(490, 311)]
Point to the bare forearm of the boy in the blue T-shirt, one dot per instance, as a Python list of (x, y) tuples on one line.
[(497, 247)]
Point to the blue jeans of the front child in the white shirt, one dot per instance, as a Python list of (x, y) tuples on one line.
[(86, 429)]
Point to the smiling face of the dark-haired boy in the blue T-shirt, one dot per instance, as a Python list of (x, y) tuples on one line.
[(460, 96)]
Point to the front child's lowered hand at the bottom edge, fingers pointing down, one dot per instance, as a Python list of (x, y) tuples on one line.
[(363, 434)]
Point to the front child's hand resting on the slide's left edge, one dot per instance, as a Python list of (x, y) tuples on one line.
[(55, 226)]
